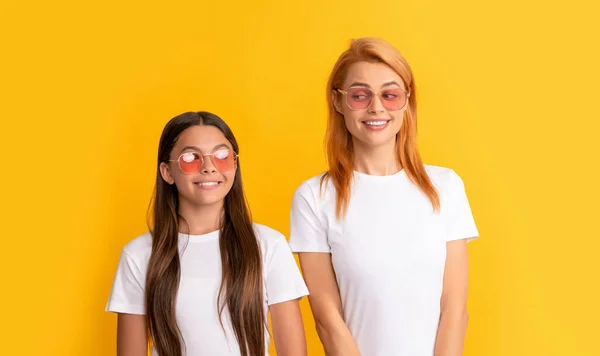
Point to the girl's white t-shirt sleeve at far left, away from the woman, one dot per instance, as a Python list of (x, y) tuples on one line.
[(127, 294)]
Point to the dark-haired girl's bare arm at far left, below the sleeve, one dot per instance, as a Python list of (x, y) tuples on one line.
[(132, 339)]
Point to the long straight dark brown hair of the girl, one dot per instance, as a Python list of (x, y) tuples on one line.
[(241, 288)]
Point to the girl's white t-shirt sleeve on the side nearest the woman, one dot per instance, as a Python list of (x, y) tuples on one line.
[(283, 279)]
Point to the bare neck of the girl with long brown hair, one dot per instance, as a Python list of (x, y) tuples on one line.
[(199, 219)]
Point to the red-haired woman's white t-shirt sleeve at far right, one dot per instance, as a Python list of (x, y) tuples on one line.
[(460, 223)]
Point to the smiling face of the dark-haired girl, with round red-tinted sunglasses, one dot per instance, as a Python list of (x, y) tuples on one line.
[(202, 165)]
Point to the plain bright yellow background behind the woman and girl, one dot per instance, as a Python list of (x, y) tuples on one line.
[(508, 97)]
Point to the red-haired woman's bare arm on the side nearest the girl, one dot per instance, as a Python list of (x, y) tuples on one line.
[(326, 304)]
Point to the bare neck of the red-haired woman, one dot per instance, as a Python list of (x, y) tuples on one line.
[(378, 161)]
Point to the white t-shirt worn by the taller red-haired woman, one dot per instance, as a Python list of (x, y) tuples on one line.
[(388, 254)]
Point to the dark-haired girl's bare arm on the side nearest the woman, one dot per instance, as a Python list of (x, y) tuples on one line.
[(288, 329)]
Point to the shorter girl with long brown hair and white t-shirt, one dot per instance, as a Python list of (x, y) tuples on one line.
[(203, 279)]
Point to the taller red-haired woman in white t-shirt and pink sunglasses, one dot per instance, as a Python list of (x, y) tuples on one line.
[(382, 237)]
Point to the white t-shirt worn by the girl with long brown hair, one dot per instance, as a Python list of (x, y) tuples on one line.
[(196, 311)]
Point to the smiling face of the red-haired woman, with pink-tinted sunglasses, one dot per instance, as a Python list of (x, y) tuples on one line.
[(376, 123)]
